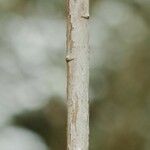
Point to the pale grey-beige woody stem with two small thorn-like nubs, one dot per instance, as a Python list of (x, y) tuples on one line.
[(77, 74)]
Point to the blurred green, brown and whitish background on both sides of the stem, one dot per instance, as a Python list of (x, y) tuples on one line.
[(33, 75)]
